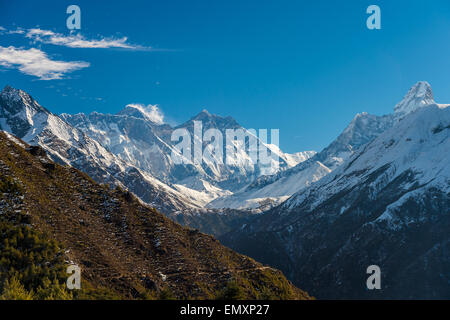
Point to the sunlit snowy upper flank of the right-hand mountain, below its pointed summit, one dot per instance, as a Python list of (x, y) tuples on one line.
[(419, 143)]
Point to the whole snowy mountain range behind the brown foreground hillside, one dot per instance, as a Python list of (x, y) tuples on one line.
[(377, 194)]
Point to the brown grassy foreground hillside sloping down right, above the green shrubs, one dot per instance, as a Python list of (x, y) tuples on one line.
[(119, 243)]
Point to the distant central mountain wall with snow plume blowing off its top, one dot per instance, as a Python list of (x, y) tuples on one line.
[(147, 145)]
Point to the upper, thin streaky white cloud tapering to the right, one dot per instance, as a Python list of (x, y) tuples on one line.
[(79, 41)]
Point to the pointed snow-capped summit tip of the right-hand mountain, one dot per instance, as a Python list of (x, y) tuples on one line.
[(418, 96)]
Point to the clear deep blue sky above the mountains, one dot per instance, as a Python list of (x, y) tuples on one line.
[(305, 67)]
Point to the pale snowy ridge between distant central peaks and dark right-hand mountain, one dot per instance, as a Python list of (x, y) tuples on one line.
[(268, 191)]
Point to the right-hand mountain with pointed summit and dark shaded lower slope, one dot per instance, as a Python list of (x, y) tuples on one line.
[(388, 204)]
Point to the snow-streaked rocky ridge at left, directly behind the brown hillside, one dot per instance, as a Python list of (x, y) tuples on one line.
[(23, 117)]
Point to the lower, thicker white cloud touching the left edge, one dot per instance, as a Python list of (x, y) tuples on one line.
[(37, 63)]
